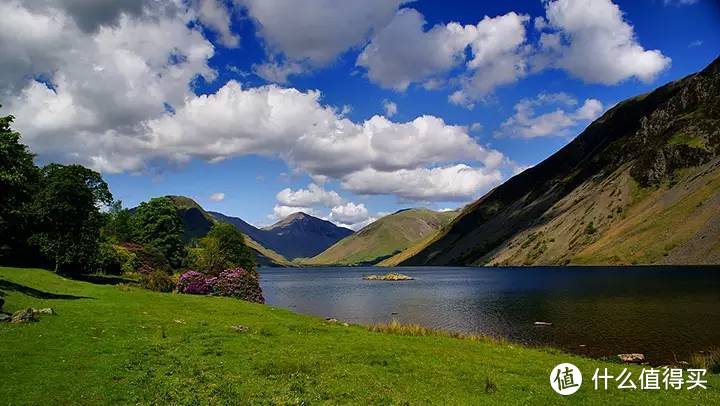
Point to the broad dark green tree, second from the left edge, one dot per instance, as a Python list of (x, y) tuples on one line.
[(66, 212)]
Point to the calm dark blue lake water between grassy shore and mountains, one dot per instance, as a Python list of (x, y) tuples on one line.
[(663, 312)]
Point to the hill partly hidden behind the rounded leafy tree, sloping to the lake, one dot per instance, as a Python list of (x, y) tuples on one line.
[(197, 223)]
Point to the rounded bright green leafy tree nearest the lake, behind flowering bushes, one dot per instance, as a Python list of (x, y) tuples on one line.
[(223, 248)]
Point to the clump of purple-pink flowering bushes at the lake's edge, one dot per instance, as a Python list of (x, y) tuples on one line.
[(238, 283)]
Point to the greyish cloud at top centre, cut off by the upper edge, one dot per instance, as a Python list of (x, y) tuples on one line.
[(317, 31)]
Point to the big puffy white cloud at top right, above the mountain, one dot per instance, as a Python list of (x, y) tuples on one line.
[(591, 40)]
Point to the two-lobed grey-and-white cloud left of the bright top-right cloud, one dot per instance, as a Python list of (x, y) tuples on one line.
[(404, 53)]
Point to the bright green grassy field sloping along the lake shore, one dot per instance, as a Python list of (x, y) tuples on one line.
[(124, 345)]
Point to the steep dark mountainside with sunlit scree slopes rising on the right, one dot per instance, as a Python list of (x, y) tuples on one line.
[(641, 185)]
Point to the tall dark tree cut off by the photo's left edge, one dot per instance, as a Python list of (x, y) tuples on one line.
[(19, 179)]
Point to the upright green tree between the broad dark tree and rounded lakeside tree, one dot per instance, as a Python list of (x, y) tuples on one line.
[(157, 224)]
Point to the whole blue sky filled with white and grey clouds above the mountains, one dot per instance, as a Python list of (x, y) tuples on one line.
[(347, 110)]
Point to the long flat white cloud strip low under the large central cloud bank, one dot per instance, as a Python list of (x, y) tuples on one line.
[(449, 183)]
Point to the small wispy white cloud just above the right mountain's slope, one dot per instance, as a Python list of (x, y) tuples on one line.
[(559, 122)]
